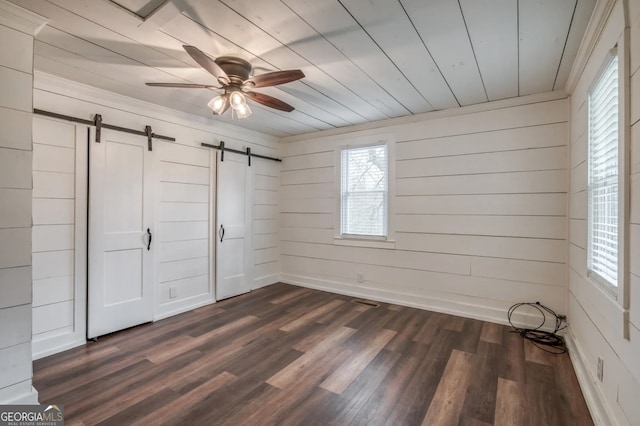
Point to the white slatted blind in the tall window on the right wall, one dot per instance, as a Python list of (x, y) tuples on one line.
[(603, 176)]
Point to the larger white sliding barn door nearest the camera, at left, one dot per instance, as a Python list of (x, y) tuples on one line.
[(121, 244)]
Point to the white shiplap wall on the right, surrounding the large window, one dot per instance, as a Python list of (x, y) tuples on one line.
[(597, 320)]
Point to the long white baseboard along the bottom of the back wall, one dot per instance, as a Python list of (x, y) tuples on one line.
[(447, 306)]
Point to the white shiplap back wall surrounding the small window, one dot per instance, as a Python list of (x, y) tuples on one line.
[(480, 211)]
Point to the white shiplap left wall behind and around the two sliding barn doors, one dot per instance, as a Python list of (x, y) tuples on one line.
[(184, 205)]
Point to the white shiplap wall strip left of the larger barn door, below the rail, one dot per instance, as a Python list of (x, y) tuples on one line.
[(57, 284)]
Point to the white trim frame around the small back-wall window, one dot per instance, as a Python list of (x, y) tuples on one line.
[(388, 241)]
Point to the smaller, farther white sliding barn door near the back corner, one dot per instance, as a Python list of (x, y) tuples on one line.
[(233, 232)]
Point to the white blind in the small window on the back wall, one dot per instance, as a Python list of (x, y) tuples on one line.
[(364, 176)]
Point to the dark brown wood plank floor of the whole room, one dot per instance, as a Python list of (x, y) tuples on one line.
[(291, 356)]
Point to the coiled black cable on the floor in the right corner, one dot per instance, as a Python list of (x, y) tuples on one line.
[(547, 341)]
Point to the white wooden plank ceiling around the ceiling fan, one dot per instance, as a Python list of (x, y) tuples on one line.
[(364, 60)]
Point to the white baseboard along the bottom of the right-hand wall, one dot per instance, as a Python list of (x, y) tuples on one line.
[(590, 390)]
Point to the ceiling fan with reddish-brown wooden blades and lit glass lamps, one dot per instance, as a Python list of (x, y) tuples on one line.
[(233, 76)]
